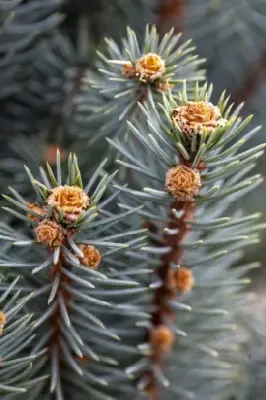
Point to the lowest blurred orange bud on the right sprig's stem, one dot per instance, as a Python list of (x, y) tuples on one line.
[(162, 339)]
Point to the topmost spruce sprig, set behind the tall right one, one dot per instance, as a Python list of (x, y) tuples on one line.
[(127, 72)]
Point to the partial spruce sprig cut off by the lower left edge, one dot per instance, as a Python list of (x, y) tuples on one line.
[(15, 336)]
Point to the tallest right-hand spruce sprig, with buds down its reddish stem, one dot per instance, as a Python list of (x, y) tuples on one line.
[(187, 163)]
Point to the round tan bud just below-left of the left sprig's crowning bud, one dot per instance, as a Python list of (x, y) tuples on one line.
[(49, 233)]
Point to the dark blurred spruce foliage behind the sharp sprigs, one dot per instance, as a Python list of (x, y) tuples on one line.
[(47, 47)]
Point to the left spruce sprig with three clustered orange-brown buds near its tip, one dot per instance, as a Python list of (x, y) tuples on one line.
[(78, 282)]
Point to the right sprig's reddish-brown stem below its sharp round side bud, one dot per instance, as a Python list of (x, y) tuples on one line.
[(174, 280)]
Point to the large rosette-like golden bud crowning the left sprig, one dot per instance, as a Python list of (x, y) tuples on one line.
[(71, 200)]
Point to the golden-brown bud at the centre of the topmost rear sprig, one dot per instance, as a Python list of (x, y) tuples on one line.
[(150, 67)]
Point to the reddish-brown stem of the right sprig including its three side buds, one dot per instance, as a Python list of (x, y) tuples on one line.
[(182, 182)]
